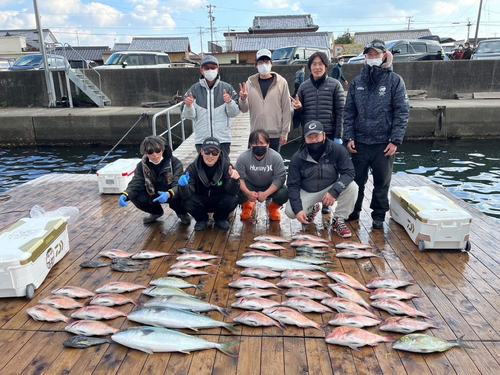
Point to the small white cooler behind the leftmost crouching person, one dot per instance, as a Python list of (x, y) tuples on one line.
[(114, 177)]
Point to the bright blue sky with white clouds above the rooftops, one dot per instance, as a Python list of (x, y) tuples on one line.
[(83, 22)]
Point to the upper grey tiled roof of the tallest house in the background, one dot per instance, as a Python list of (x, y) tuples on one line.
[(283, 24)]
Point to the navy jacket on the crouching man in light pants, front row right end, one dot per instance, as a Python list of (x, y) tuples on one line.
[(334, 167)]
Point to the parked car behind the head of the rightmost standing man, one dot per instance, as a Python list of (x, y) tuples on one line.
[(410, 50)]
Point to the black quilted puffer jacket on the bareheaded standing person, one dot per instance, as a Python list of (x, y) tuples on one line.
[(324, 103)]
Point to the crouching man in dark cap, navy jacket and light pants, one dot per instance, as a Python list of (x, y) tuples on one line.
[(321, 171)]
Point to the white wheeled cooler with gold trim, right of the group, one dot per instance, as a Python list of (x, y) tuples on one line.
[(431, 220)]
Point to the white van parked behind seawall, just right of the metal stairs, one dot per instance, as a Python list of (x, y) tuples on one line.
[(136, 60)]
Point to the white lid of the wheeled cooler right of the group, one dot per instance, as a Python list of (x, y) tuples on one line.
[(430, 205)]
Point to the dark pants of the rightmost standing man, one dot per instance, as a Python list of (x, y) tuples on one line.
[(373, 156)]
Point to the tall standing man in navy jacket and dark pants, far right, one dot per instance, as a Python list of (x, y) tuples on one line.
[(375, 118)]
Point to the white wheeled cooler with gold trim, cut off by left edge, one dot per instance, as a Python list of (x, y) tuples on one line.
[(29, 249)]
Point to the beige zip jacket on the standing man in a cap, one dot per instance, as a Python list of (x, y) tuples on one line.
[(274, 113)]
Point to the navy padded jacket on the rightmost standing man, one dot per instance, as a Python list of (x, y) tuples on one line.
[(377, 107)]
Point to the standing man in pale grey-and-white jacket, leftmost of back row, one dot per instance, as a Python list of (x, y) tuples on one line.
[(210, 104)]
